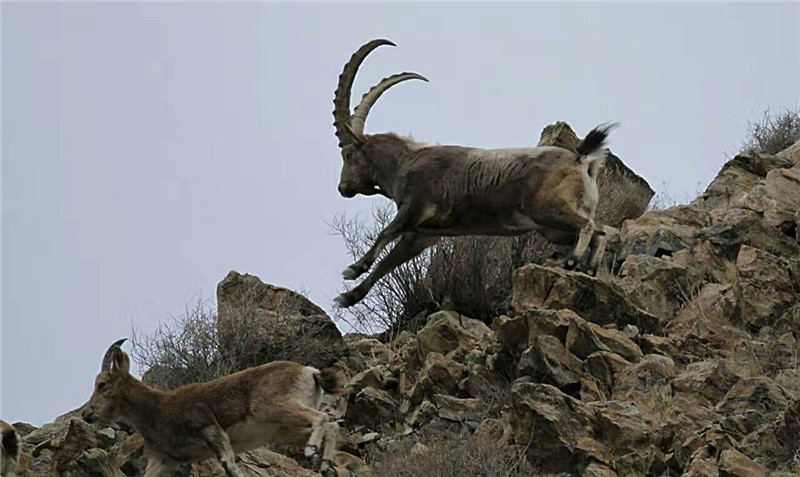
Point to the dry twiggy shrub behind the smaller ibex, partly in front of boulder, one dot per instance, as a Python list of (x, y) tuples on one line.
[(188, 349)]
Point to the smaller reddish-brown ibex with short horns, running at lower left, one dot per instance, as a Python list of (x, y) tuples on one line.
[(275, 403)]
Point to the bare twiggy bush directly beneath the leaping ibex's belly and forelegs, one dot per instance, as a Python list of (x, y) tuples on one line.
[(471, 275)]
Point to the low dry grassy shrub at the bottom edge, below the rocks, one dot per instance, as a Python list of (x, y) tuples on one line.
[(454, 455)]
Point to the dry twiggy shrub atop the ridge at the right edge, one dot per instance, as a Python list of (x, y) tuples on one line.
[(773, 133)]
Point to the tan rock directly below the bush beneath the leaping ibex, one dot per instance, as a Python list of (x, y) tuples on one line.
[(447, 331)]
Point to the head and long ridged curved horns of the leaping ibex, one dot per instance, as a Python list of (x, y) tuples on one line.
[(358, 172)]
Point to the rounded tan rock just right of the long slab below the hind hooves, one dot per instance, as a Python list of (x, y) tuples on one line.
[(657, 286)]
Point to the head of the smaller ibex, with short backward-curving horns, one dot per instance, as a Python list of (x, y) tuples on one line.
[(108, 386)]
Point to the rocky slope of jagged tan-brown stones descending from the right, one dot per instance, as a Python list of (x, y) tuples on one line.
[(684, 361)]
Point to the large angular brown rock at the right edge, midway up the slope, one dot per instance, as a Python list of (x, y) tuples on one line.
[(764, 288)]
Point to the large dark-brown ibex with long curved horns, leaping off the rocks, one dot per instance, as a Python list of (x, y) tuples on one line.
[(454, 190)]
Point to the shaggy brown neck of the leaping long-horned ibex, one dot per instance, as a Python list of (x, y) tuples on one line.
[(387, 152)]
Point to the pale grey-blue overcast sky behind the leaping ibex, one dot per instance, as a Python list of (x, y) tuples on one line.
[(148, 149)]
